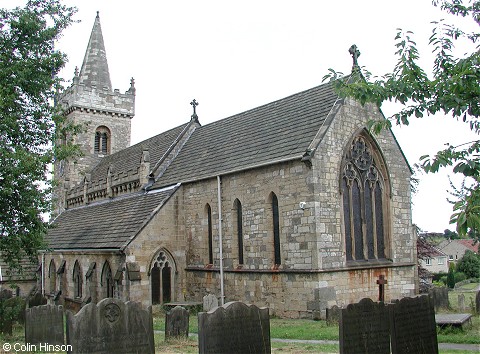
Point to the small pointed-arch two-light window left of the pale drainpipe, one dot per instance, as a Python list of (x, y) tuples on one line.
[(161, 279)]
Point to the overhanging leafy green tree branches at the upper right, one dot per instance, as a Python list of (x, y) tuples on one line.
[(452, 89)]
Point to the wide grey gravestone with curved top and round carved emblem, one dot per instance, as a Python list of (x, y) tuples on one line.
[(111, 326)]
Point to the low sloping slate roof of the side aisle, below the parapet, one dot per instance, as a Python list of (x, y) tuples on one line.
[(109, 224)]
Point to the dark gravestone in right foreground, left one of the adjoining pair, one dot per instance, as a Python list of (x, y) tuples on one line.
[(364, 328)]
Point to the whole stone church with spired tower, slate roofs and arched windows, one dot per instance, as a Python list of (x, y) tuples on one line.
[(292, 205)]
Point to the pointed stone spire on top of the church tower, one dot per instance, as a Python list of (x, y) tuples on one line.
[(94, 69)]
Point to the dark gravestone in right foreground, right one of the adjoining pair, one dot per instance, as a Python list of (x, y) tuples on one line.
[(412, 326)]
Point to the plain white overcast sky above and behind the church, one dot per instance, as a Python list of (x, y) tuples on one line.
[(232, 56)]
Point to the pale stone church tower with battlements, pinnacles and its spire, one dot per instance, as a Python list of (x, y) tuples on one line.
[(104, 114)]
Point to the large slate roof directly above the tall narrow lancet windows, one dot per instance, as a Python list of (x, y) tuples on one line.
[(276, 131)]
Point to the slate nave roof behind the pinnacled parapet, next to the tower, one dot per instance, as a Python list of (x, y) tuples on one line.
[(128, 160)]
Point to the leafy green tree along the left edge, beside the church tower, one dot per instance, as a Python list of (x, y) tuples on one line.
[(29, 64)]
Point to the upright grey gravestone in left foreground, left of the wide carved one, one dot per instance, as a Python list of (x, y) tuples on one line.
[(44, 324)]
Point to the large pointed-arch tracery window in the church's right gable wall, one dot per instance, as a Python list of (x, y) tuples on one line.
[(364, 195)]
